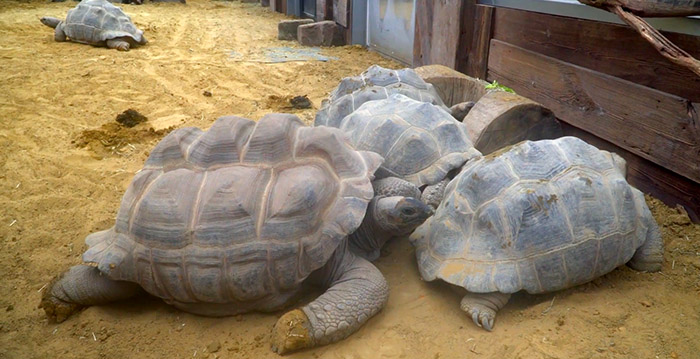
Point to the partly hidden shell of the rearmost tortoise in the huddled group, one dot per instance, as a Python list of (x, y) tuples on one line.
[(375, 83)]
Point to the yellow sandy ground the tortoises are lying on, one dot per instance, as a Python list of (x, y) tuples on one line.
[(65, 166)]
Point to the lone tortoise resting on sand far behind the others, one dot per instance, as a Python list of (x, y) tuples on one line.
[(97, 23)]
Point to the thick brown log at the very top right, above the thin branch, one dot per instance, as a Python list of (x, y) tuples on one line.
[(651, 8)]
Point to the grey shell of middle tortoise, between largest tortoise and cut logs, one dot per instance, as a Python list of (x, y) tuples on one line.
[(420, 142)]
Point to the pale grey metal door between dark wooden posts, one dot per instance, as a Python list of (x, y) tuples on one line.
[(390, 25)]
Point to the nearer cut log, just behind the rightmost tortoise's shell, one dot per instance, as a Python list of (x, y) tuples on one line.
[(501, 119)]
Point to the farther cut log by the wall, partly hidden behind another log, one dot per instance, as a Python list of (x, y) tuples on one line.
[(452, 86)]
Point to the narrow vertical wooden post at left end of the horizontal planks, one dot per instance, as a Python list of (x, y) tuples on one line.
[(477, 62)]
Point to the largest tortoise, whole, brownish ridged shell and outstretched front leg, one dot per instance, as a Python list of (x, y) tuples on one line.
[(236, 219)]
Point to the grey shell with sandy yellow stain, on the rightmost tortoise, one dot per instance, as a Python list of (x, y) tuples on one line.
[(539, 217)]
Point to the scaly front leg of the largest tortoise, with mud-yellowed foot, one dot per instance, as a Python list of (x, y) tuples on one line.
[(357, 292)]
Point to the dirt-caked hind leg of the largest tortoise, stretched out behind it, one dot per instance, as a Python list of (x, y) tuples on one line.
[(81, 286)]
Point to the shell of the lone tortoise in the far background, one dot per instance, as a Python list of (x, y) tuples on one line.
[(95, 21)]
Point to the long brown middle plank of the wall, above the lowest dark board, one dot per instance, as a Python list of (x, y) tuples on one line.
[(657, 126)]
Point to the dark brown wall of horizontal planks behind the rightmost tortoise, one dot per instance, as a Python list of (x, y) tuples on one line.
[(606, 84)]
